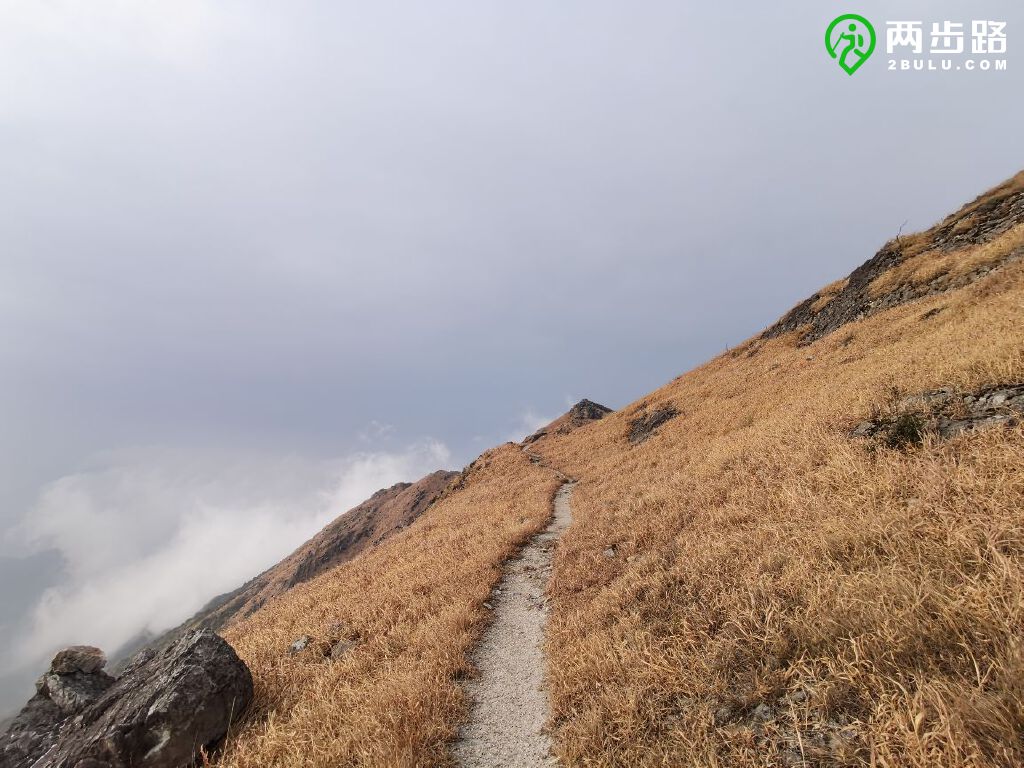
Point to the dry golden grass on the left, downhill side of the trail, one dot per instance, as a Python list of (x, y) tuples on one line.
[(415, 605)]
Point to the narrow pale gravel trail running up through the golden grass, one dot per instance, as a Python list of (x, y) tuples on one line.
[(509, 702)]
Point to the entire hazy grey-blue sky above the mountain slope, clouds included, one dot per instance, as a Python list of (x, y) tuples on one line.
[(260, 260)]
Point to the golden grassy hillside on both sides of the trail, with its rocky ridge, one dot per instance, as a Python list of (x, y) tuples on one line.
[(789, 557)]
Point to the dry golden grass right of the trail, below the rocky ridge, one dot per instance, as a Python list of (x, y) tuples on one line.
[(871, 601)]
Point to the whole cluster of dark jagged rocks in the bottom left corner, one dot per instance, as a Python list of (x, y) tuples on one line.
[(157, 715)]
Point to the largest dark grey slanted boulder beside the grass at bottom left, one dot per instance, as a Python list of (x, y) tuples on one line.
[(161, 711)]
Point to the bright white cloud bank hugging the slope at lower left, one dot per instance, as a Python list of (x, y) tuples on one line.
[(150, 539)]
